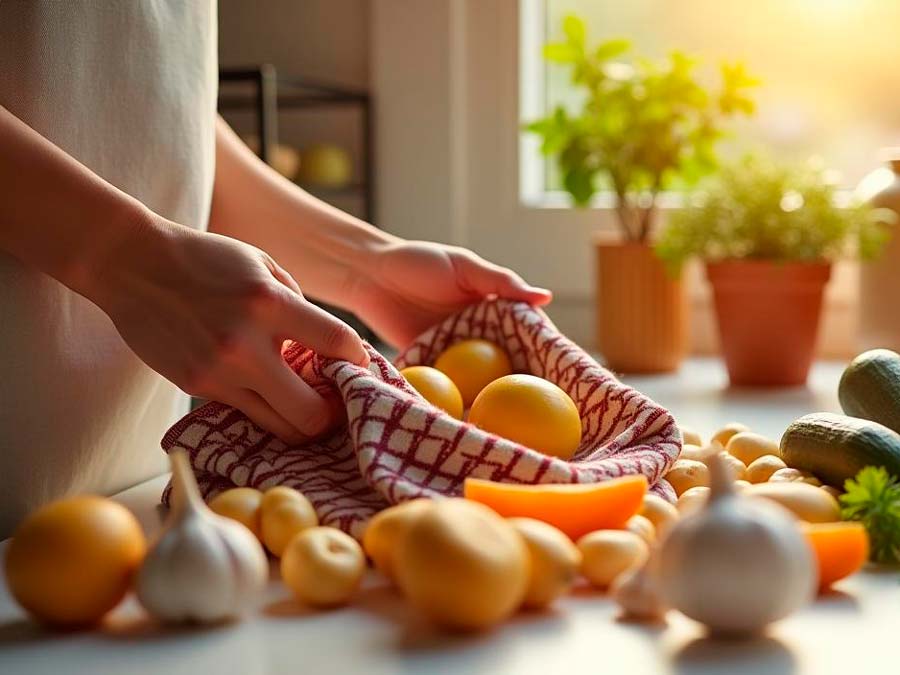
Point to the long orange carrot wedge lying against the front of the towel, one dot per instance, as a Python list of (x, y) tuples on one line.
[(576, 508)]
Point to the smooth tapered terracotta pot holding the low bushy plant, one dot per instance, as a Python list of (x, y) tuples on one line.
[(768, 316)]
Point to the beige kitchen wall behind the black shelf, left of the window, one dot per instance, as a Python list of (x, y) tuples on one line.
[(444, 77)]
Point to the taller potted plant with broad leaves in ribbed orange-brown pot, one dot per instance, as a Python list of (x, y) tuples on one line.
[(643, 127)]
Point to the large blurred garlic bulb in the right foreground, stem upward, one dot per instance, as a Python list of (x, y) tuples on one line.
[(737, 564)]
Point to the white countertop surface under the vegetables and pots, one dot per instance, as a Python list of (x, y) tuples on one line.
[(849, 632)]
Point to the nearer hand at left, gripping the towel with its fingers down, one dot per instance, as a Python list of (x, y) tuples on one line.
[(211, 313)]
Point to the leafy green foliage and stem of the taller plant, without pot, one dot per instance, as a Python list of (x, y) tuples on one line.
[(642, 125)]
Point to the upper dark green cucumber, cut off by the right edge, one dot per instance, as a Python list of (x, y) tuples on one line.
[(870, 388)]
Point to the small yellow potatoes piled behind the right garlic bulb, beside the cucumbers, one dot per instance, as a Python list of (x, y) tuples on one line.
[(757, 468)]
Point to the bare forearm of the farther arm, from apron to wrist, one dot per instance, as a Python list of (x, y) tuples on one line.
[(321, 246)]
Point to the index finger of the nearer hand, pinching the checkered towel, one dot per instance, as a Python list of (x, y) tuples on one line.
[(318, 330)]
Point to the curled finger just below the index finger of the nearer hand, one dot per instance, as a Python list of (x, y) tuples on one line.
[(291, 398)]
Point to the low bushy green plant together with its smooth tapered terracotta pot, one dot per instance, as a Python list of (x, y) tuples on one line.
[(768, 234)]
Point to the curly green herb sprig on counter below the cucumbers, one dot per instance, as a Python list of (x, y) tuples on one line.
[(873, 498)]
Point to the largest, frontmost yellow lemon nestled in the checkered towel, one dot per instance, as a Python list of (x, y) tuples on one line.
[(531, 411)]
